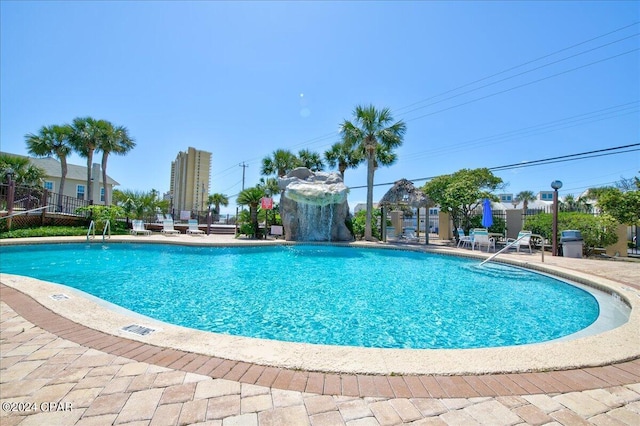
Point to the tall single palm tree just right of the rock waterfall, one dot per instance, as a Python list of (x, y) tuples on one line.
[(371, 129)]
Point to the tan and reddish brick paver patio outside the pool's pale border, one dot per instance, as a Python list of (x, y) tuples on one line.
[(57, 372)]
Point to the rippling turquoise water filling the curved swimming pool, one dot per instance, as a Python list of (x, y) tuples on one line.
[(319, 294)]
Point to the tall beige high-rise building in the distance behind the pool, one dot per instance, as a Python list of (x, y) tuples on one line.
[(189, 188)]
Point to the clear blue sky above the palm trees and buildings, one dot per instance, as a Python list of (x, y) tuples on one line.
[(242, 79)]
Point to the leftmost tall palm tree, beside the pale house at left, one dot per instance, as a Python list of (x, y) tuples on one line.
[(52, 141)]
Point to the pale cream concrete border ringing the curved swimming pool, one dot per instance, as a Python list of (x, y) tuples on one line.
[(615, 346)]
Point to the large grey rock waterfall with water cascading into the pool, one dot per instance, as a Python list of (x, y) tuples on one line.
[(314, 206)]
